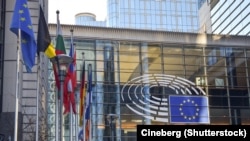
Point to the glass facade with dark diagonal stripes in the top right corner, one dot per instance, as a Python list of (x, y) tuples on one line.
[(231, 17)]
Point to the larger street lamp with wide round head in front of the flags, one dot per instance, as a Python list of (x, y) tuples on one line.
[(62, 63)]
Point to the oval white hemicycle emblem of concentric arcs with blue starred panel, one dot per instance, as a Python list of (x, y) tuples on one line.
[(143, 97)]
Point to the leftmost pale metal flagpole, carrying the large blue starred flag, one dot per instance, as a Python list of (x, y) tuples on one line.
[(17, 83)]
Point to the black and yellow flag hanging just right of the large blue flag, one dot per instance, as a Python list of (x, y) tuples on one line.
[(44, 43)]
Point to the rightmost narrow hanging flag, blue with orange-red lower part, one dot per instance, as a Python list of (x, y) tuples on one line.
[(88, 104)]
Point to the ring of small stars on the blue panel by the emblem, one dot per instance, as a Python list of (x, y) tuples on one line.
[(189, 117)]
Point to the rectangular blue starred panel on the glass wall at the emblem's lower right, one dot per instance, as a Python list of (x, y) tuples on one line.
[(188, 109)]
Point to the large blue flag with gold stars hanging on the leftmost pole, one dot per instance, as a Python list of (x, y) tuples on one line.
[(21, 21)]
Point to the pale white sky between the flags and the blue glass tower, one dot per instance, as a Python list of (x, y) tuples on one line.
[(69, 8)]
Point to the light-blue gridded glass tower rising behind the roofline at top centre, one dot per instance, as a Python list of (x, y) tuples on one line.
[(166, 15)]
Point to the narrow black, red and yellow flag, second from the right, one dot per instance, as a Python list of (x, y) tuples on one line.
[(82, 95)]
